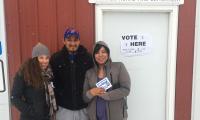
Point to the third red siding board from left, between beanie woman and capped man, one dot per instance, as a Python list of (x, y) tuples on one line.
[(47, 23)]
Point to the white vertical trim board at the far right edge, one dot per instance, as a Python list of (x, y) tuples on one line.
[(196, 69)]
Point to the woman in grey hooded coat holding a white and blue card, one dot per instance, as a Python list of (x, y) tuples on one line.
[(106, 86)]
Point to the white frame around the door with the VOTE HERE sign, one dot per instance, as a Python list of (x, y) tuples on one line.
[(172, 43)]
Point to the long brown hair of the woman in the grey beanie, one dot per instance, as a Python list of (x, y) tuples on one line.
[(32, 73)]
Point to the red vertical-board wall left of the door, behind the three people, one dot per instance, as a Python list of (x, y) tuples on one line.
[(31, 21)]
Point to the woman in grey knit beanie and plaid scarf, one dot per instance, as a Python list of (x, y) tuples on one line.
[(32, 92)]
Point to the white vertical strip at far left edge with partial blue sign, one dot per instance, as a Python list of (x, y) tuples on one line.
[(4, 91)]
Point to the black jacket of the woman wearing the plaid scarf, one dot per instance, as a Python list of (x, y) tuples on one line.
[(31, 102)]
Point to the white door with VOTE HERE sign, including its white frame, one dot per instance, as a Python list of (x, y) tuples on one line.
[(150, 60)]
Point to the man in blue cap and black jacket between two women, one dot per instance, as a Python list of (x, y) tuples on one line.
[(69, 66)]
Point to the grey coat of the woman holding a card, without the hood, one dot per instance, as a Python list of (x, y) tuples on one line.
[(116, 97)]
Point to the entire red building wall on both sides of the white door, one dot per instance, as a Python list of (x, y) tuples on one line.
[(30, 21)]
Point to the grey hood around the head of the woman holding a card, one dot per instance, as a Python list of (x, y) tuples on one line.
[(108, 62)]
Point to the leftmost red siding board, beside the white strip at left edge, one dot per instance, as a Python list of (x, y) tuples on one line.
[(13, 41)]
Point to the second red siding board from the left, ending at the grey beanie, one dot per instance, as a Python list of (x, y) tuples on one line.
[(28, 21)]
